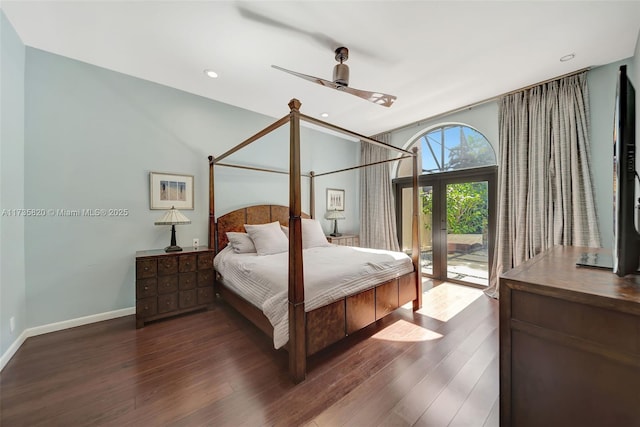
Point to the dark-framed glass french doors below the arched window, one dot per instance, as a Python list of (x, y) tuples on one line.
[(457, 223)]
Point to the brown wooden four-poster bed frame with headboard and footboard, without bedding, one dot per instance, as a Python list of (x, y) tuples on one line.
[(311, 331)]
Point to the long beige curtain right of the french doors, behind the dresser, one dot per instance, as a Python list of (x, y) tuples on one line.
[(545, 192)]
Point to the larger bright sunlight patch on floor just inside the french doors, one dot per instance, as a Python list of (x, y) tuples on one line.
[(444, 301)]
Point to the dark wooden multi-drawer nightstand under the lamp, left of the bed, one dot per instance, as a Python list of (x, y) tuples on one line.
[(172, 283)]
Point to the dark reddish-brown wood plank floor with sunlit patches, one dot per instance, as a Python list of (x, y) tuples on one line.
[(435, 367)]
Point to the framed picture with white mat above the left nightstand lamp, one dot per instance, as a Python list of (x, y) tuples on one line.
[(167, 190)]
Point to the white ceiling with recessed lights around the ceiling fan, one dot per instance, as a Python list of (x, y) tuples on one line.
[(435, 56)]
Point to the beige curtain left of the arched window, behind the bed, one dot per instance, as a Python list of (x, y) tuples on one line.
[(377, 212)]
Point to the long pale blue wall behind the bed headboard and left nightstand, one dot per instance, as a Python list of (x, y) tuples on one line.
[(92, 137)]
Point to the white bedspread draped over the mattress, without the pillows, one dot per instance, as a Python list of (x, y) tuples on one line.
[(330, 273)]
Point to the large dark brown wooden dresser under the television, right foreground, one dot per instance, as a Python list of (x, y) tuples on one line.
[(569, 344)]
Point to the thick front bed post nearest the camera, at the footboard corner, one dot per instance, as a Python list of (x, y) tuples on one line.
[(297, 321)]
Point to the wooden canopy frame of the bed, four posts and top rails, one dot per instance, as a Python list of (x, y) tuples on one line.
[(297, 329)]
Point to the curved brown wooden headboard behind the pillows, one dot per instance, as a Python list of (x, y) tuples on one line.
[(258, 214)]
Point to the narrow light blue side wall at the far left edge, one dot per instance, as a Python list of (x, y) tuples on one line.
[(12, 249)]
